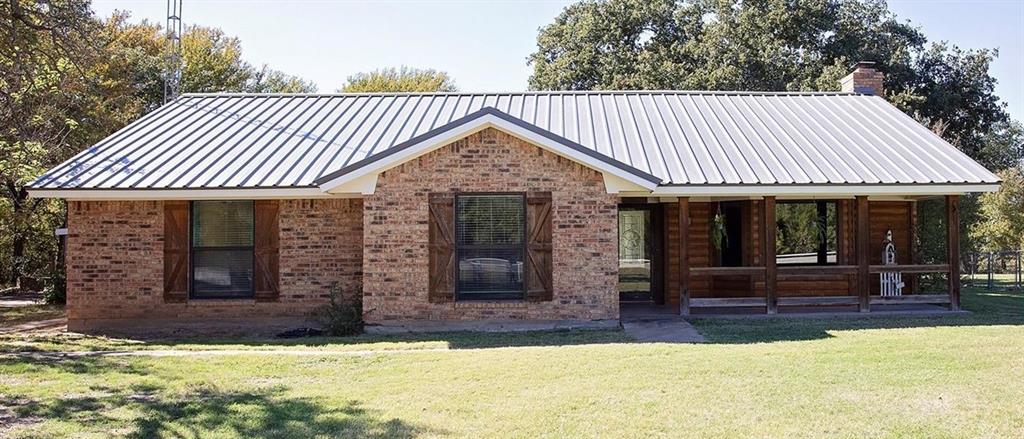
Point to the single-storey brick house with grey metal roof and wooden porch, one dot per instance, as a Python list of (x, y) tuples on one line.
[(246, 209)]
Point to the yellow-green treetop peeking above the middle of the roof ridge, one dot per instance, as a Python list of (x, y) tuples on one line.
[(400, 80)]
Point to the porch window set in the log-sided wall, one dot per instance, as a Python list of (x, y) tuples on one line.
[(806, 233)]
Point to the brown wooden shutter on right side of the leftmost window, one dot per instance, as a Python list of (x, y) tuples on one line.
[(267, 251)]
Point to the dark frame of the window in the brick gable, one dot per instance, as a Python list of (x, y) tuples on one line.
[(523, 247)]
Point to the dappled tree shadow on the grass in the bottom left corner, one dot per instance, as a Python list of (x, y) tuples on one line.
[(208, 412)]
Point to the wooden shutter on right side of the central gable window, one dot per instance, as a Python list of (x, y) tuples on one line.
[(539, 265)]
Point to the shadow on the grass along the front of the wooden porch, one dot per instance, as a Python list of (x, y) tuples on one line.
[(986, 309)]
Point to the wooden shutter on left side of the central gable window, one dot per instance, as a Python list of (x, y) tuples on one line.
[(442, 247)]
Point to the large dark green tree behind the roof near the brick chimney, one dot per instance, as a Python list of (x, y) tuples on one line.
[(773, 46)]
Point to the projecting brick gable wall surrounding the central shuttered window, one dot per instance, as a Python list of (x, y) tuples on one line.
[(585, 222)]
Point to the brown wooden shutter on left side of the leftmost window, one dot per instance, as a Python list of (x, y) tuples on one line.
[(176, 252)]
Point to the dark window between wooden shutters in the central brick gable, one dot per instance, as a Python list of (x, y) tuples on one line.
[(491, 246)]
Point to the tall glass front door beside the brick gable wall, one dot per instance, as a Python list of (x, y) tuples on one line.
[(635, 255)]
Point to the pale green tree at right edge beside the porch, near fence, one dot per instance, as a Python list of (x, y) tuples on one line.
[(1002, 227)]
